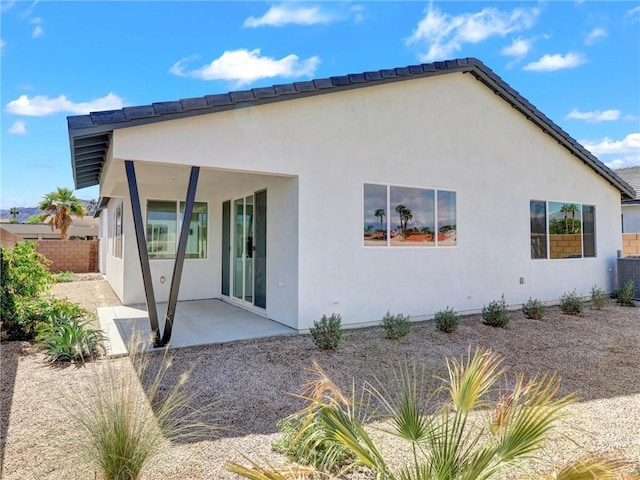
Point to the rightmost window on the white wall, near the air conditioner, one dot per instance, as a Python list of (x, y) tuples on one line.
[(562, 230)]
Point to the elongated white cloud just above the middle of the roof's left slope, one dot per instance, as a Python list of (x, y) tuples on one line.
[(246, 66)]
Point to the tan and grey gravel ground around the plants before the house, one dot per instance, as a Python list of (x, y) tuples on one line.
[(596, 355)]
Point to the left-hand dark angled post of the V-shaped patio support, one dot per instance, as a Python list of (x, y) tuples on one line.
[(142, 251)]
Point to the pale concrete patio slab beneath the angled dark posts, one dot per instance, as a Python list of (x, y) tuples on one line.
[(197, 322)]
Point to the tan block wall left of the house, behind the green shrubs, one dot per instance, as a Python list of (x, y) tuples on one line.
[(79, 256)]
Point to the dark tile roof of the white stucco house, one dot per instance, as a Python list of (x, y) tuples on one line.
[(90, 135)]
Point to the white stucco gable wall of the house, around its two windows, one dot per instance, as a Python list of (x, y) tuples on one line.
[(447, 132)]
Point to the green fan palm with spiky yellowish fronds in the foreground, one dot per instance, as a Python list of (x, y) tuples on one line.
[(449, 441)]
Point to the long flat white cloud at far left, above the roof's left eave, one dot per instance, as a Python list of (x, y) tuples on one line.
[(41, 105)]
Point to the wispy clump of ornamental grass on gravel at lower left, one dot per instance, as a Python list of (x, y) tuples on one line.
[(127, 415)]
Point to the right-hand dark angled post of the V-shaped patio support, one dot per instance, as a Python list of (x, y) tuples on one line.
[(180, 254)]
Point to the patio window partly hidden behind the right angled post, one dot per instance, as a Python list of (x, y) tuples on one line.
[(164, 220)]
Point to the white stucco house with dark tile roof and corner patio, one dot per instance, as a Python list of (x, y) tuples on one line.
[(409, 190)]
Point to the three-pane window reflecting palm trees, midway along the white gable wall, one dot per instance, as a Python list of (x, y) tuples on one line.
[(408, 216)]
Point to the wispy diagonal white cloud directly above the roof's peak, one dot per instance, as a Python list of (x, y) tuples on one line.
[(442, 34)]
